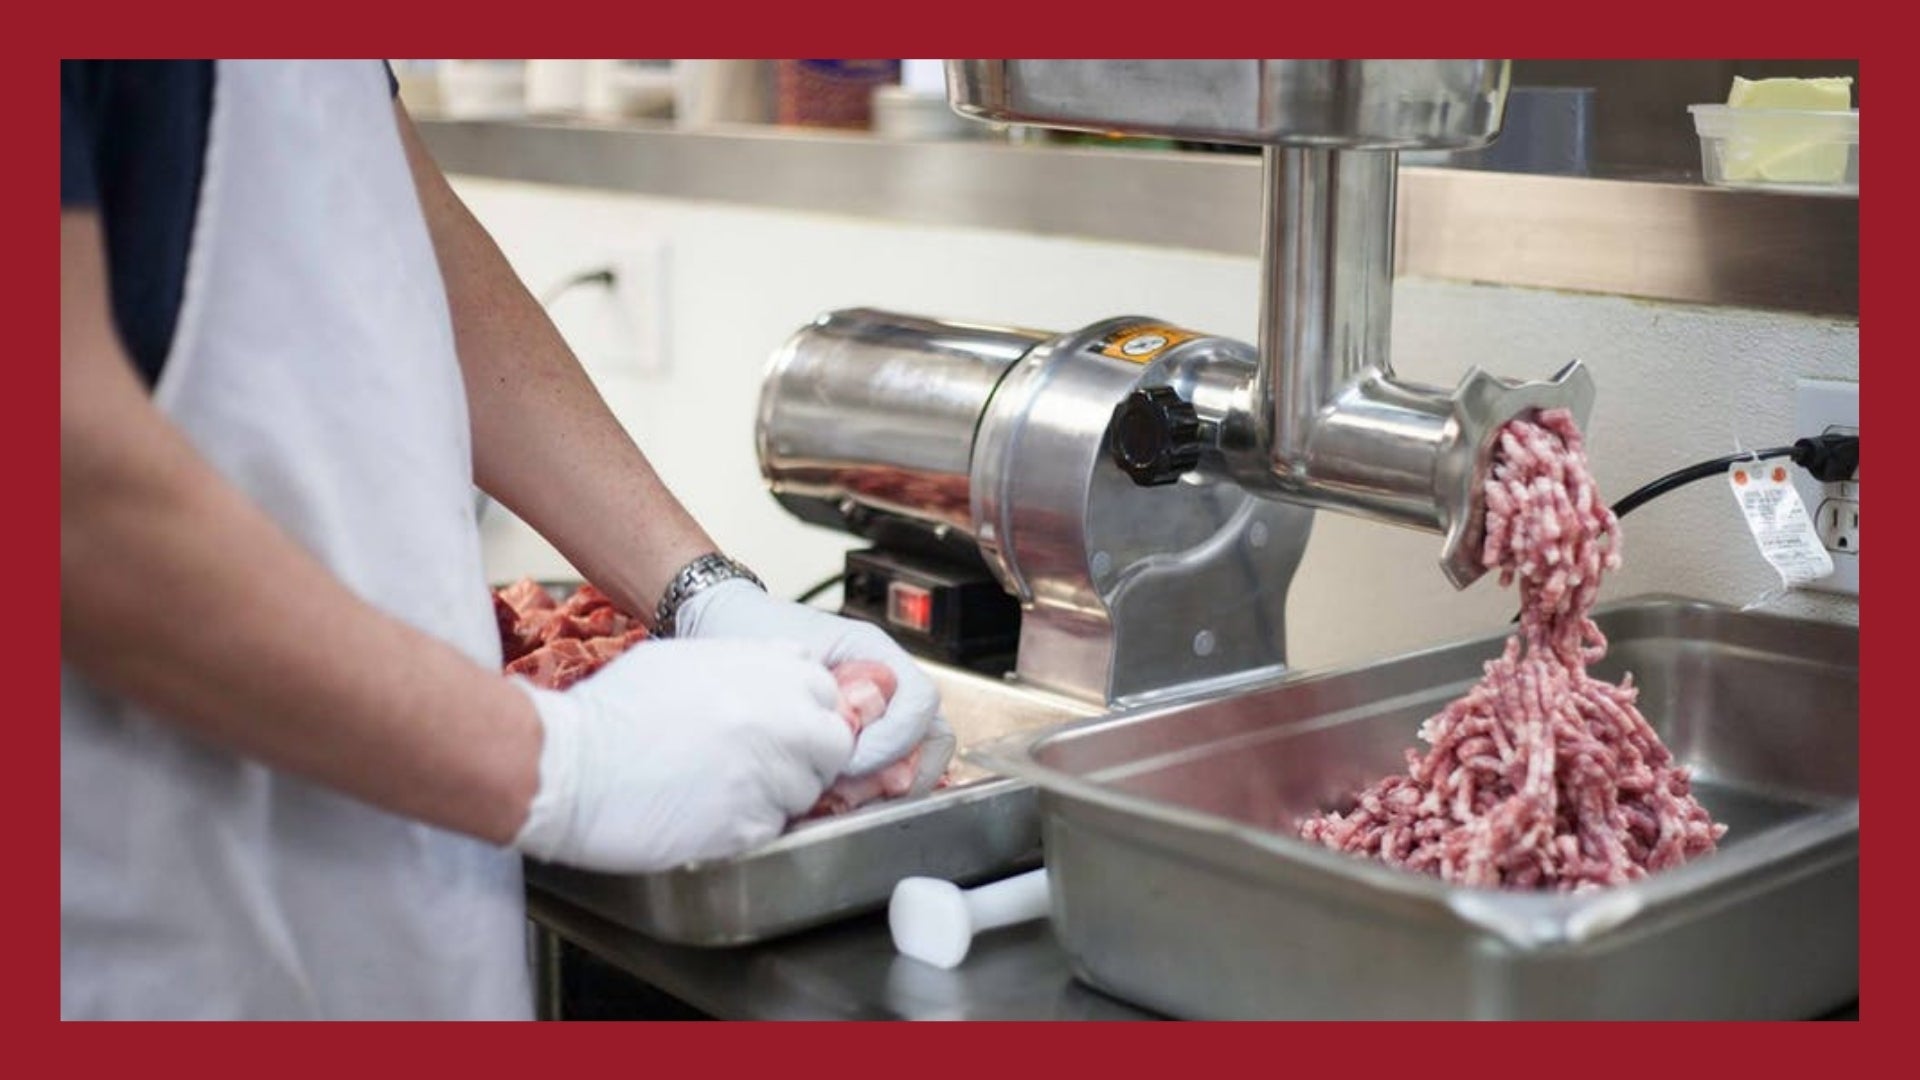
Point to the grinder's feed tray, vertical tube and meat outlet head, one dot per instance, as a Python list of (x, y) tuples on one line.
[(1326, 420)]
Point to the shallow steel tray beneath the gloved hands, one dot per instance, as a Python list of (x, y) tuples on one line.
[(846, 866)]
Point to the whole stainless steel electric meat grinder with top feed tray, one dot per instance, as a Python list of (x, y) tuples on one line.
[(1145, 491)]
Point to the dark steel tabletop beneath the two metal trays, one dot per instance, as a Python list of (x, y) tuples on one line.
[(852, 973)]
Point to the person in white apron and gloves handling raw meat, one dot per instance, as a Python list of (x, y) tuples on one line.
[(293, 777)]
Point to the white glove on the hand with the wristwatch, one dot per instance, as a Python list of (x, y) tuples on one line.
[(740, 610)]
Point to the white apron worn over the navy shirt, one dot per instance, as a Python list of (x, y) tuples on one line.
[(314, 368)]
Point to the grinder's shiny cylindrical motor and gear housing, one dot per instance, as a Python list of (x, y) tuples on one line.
[(936, 435)]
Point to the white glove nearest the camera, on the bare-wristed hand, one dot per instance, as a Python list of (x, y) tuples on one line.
[(683, 750)]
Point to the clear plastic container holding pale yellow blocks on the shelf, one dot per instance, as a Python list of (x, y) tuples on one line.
[(1796, 151)]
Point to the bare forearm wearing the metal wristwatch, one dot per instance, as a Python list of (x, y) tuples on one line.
[(546, 445)]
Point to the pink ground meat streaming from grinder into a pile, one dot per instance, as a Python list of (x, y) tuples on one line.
[(1543, 777)]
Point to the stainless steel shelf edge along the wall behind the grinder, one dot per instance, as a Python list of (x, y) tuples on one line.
[(1644, 239)]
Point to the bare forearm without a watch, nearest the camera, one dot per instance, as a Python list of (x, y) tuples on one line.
[(180, 595)]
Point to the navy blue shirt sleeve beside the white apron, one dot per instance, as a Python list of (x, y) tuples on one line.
[(133, 143)]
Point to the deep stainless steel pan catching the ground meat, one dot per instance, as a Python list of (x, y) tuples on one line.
[(1180, 885)]
